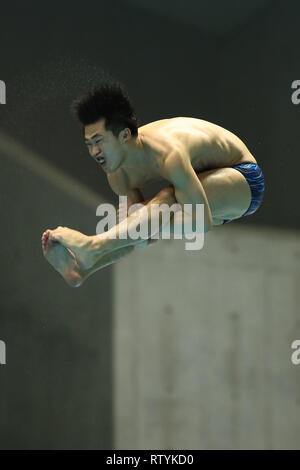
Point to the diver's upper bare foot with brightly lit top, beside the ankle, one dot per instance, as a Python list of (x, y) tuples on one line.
[(77, 242)]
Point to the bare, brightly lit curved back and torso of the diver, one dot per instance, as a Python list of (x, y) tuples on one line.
[(208, 146)]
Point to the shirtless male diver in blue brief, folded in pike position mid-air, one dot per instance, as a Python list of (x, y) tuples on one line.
[(204, 163)]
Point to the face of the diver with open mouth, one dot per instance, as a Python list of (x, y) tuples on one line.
[(103, 146)]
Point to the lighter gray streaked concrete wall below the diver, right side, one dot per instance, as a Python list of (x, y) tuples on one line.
[(202, 343)]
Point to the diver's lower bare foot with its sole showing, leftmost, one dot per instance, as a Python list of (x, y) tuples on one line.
[(62, 260)]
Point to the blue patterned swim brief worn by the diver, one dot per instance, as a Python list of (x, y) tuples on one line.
[(254, 175)]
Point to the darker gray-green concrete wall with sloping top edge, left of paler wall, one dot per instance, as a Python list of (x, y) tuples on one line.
[(55, 389)]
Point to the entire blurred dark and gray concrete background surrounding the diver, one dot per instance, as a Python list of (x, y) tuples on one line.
[(168, 349)]
